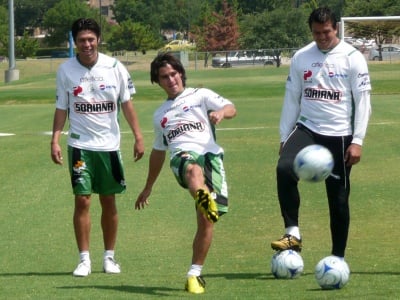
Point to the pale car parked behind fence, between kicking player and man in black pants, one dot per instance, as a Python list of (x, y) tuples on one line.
[(242, 58)]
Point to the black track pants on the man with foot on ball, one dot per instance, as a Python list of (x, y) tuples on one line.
[(337, 186)]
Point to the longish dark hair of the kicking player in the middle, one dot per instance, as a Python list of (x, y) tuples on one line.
[(162, 60)]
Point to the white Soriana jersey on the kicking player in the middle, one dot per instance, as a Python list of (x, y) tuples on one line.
[(182, 124)]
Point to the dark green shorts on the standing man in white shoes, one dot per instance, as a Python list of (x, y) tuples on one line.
[(96, 172)]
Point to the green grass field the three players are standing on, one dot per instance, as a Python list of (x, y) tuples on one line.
[(38, 249)]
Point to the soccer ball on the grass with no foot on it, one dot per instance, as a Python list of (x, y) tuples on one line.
[(332, 272)]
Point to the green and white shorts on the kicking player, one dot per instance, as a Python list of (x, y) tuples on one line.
[(213, 170)]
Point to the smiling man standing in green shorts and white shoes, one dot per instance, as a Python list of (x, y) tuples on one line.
[(92, 88)]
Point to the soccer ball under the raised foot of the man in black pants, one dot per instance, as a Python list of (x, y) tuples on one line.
[(287, 264)]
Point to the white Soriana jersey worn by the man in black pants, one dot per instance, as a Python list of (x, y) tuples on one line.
[(327, 84)]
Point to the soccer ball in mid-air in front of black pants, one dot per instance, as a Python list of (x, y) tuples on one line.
[(313, 163)]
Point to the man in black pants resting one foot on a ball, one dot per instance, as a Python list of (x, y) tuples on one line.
[(327, 102)]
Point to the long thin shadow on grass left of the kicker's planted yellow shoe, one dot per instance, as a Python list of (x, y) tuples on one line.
[(148, 290)]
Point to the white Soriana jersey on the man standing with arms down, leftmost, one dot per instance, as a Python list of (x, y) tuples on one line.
[(92, 98)]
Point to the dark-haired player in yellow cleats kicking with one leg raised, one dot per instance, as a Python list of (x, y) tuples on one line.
[(184, 125)]
